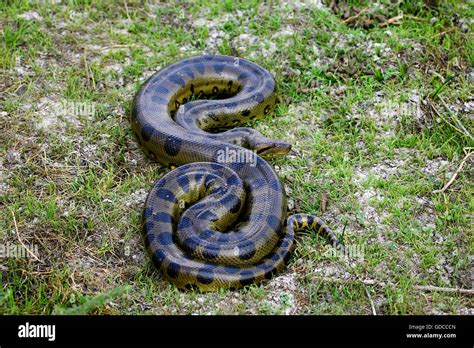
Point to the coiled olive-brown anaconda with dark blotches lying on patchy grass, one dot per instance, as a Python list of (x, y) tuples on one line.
[(219, 220)]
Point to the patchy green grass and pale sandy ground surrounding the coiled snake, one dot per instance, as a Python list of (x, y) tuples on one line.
[(378, 117)]
